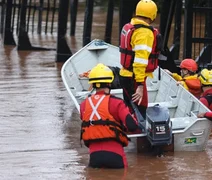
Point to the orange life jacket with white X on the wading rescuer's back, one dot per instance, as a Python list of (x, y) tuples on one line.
[(98, 124)]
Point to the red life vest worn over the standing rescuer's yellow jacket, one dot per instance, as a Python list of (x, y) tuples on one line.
[(127, 54)]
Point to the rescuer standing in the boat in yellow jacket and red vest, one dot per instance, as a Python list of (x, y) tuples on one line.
[(139, 49)]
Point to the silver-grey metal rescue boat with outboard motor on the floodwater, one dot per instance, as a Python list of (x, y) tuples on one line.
[(183, 129)]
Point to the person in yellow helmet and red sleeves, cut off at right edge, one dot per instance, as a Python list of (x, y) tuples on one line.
[(206, 98)]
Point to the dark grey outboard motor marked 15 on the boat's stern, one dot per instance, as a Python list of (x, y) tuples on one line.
[(159, 126)]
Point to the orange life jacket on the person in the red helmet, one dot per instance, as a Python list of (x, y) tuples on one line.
[(194, 86)]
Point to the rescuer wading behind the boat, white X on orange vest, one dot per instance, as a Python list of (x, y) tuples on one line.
[(105, 121)]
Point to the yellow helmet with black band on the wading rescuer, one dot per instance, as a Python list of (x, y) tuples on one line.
[(101, 74)]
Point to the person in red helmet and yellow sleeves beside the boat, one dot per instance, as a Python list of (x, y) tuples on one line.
[(188, 78)]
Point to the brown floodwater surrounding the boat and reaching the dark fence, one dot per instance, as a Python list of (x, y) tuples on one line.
[(39, 126)]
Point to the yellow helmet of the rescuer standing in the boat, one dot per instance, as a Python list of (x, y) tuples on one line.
[(146, 8)]
